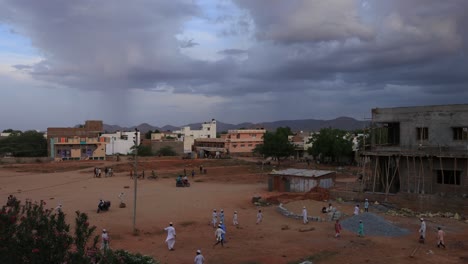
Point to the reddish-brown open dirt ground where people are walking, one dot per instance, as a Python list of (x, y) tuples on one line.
[(228, 185)]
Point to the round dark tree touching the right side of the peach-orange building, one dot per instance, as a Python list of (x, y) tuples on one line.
[(276, 144)]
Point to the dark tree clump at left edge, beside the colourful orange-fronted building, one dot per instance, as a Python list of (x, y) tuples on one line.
[(28, 144)]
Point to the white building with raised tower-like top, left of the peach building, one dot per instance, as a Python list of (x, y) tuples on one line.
[(208, 130)]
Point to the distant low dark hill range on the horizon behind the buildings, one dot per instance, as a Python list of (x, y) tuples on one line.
[(307, 125)]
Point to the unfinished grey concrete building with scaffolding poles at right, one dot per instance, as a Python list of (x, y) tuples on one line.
[(418, 150)]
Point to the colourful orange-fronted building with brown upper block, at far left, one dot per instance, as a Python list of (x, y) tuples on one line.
[(78, 142)]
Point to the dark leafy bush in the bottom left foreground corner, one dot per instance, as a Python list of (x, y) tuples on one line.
[(30, 233)]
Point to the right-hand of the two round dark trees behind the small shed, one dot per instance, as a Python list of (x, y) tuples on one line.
[(331, 143)]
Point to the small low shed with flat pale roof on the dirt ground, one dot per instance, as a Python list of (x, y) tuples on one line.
[(300, 180)]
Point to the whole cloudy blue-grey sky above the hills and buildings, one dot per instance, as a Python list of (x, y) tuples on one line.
[(182, 61)]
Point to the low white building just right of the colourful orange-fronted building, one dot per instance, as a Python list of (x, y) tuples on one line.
[(121, 142)]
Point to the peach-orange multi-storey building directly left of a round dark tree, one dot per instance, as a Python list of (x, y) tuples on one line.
[(243, 140)]
